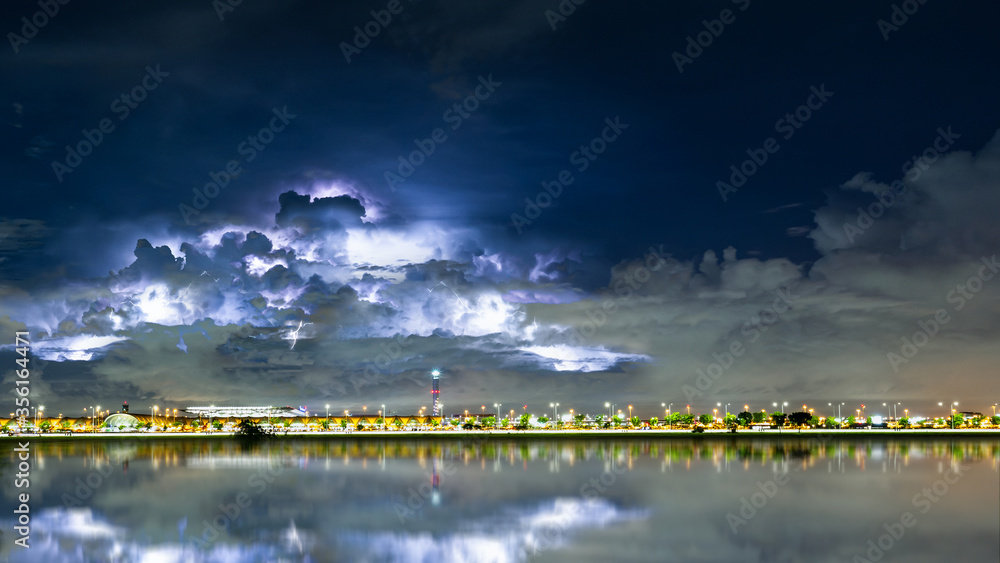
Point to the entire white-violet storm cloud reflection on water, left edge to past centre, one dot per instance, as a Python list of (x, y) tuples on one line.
[(60, 535)]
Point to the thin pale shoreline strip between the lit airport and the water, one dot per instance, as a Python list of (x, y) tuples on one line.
[(536, 435)]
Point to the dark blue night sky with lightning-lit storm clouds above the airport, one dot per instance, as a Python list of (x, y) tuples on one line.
[(689, 203)]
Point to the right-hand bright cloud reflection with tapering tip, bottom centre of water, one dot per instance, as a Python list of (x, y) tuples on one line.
[(507, 538)]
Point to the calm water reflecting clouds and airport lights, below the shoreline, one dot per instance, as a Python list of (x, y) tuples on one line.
[(506, 500)]
